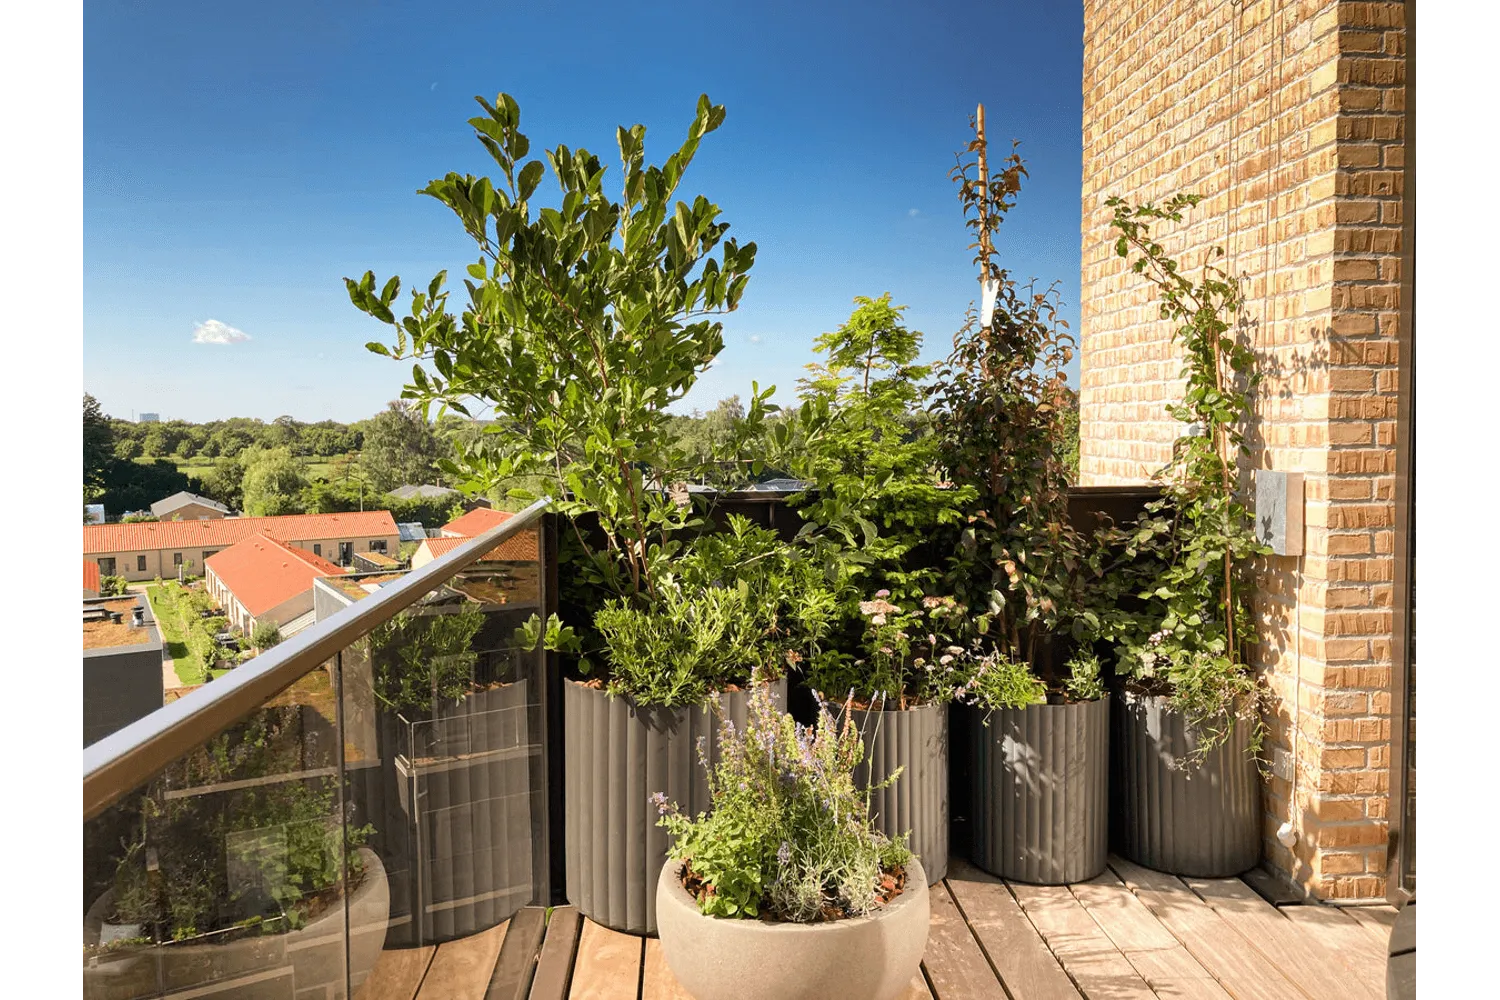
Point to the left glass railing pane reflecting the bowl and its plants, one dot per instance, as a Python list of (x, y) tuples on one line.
[(229, 869)]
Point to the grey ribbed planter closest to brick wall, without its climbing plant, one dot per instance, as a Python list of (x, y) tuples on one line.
[(1187, 821)]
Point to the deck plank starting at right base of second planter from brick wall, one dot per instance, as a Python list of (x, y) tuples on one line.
[(1151, 948)]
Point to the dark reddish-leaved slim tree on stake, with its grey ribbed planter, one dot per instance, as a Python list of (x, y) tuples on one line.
[(1037, 747)]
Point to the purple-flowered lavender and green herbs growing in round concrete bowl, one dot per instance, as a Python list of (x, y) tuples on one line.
[(790, 834)]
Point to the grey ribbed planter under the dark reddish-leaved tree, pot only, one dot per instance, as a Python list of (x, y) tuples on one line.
[(1039, 780)]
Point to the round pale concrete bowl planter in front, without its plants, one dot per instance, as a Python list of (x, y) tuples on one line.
[(860, 959)]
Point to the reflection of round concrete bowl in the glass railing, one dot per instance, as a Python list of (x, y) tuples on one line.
[(314, 954)]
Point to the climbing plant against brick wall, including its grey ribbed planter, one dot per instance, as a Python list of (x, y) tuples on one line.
[(1175, 596)]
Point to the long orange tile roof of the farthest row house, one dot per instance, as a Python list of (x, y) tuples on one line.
[(227, 531)]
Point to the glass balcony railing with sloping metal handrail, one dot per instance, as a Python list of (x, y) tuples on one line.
[(377, 780)]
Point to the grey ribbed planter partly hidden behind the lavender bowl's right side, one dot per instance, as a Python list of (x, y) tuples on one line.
[(917, 804)]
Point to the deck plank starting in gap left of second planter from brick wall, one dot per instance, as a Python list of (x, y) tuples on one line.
[(1010, 941)]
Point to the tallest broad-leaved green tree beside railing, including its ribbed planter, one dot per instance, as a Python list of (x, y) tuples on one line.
[(586, 323)]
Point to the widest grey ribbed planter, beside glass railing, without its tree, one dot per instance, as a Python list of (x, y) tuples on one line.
[(616, 756)]
